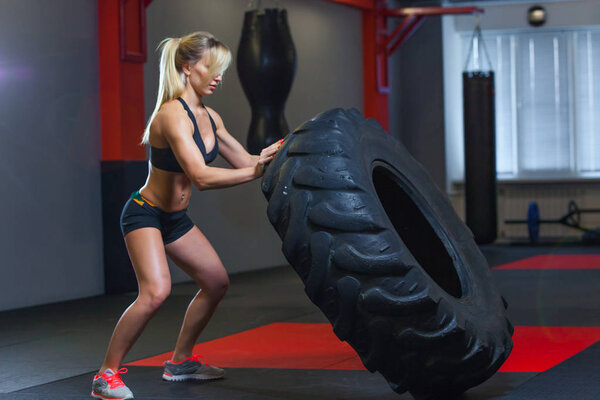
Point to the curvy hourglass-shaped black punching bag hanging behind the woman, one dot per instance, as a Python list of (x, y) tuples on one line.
[(266, 64)]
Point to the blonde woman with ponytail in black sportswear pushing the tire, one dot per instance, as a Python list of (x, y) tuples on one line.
[(184, 136)]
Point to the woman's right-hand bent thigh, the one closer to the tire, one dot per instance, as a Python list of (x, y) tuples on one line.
[(194, 254)]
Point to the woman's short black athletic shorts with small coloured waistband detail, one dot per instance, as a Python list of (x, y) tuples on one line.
[(139, 213)]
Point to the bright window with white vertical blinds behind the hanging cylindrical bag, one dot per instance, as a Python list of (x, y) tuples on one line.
[(547, 101)]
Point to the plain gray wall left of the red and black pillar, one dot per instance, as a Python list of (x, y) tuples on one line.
[(50, 221)]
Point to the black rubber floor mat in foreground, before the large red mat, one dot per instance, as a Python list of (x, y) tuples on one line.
[(260, 384)]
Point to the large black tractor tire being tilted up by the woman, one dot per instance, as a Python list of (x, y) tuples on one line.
[(385, 257)]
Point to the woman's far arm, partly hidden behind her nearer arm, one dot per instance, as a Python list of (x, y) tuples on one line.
[(232, 151)]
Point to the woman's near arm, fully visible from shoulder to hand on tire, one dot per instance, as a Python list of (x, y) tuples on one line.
[(178, 133)]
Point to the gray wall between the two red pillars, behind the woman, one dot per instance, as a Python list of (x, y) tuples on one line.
[(328, 39)]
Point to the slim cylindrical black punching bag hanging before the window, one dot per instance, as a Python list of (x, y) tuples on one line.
[(480, 155)]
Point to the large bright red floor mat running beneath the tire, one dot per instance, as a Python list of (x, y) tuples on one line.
[(314, 346)]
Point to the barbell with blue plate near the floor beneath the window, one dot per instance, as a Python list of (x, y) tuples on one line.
[(572, 219)]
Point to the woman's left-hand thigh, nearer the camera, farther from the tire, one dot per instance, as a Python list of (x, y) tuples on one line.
[(147, 253)]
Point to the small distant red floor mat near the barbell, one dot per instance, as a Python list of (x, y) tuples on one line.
[(555, 261)]
